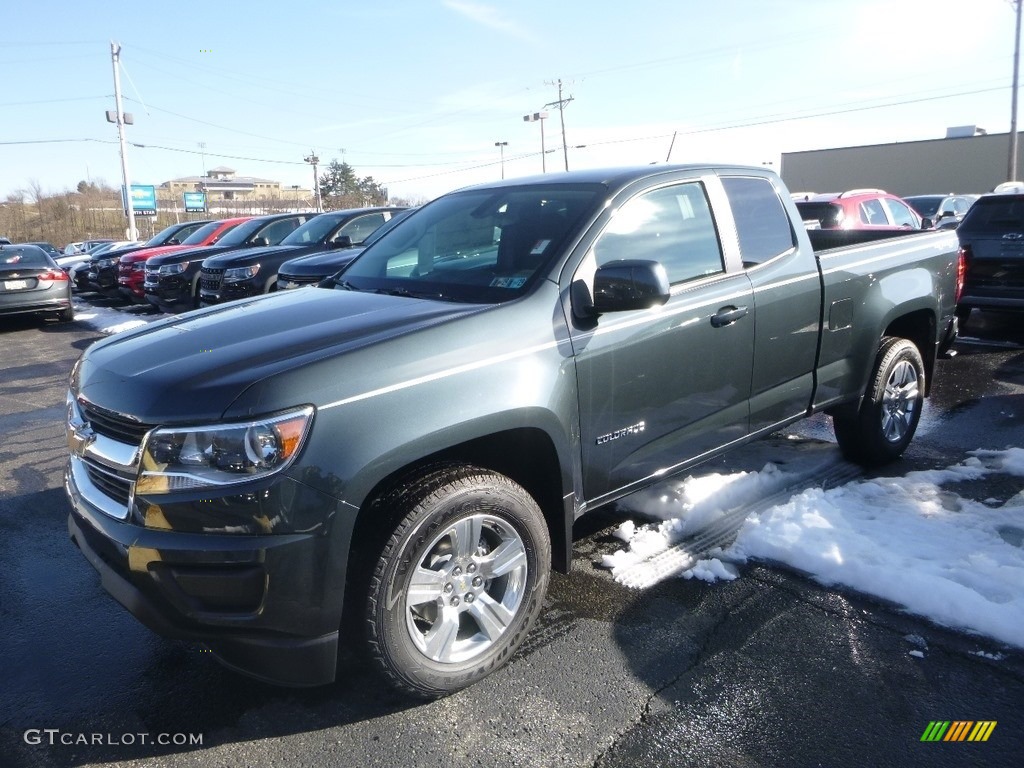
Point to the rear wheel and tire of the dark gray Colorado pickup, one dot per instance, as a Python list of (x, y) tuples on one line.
[(883, 428)]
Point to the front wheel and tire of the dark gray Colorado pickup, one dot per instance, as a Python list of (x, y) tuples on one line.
[(478, 547)]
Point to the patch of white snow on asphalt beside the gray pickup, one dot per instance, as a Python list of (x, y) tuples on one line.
[(913, 541)]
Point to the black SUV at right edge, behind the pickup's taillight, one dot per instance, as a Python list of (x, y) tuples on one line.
[(993, 238)]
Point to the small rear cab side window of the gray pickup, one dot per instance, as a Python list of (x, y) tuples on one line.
[(762, 224)]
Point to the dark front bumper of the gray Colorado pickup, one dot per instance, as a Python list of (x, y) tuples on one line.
[(267, 606)]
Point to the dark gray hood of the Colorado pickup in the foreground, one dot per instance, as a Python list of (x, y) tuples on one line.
[(192, 367)]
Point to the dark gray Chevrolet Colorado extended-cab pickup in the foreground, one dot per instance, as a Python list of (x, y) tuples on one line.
[(399, 456)]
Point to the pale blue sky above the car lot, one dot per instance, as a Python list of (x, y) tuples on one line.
[(416, 94)]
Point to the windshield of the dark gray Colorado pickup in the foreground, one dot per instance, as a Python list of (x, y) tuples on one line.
[(481, 246)]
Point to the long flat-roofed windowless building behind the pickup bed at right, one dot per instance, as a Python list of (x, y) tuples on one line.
[(971, 164)]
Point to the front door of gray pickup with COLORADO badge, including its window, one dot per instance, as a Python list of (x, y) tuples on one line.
[(661, 388)]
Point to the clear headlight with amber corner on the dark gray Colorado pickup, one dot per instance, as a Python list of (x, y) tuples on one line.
[(188, 458)]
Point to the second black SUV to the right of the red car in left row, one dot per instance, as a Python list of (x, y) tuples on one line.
[(254, 271)]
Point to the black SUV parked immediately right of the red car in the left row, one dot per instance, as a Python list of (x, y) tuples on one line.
[(173, 280)]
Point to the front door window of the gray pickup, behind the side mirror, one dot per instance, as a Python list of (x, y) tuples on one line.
[(672, 226)]
